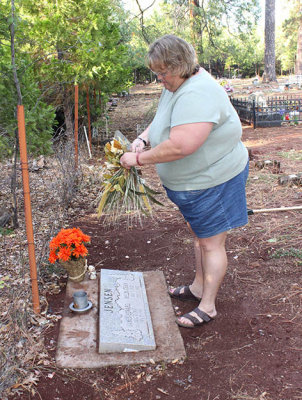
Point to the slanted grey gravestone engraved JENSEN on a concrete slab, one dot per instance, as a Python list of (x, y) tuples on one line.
[(124, 317)]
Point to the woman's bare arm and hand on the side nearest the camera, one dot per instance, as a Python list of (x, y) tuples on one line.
[(183, 141)]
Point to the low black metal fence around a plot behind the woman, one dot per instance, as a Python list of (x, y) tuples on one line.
[(273, 111)]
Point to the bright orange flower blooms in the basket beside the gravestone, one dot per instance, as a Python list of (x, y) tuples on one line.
[(68, 245)]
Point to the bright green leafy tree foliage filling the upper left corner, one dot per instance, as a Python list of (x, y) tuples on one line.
[(58, 44)]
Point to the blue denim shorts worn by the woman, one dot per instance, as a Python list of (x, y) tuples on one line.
[(214, 210)]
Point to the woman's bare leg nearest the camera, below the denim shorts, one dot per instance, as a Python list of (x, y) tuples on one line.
[(214, 264)]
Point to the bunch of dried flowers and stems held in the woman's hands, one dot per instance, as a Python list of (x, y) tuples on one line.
[(124, 190)]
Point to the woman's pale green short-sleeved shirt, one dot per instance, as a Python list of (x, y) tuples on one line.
[(222, 156)]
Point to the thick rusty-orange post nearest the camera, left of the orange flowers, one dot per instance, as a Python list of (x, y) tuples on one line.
[(28, 212)]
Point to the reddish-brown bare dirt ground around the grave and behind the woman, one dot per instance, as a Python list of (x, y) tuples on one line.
[(252, 350)]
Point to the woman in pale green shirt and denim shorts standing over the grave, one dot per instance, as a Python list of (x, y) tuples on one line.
[(195, 140)]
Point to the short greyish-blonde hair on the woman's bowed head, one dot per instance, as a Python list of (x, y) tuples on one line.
[(173, 53)]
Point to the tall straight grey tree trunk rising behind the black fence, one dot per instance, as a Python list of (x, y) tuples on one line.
[(269, 57)]
